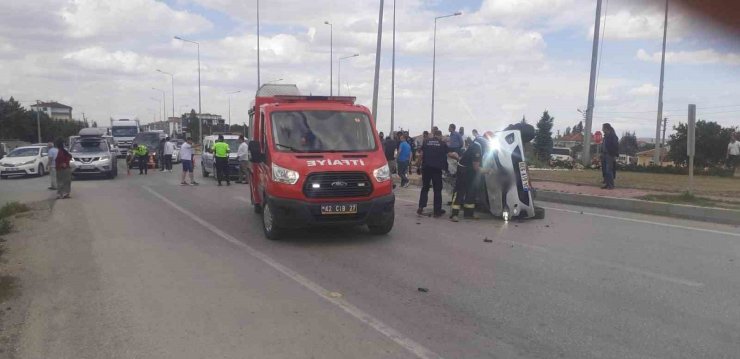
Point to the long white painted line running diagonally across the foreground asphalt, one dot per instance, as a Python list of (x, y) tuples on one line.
[(415, 348)]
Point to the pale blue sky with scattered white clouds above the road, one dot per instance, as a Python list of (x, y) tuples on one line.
[(502, 59)]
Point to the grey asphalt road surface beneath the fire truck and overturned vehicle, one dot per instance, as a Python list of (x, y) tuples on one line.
[(140, 267)]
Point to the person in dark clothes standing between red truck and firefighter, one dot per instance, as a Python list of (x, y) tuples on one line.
[(433, 161)]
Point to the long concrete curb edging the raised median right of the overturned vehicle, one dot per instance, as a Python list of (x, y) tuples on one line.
[(706, 214)]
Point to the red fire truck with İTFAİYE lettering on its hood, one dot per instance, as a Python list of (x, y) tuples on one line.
[(316, 161)]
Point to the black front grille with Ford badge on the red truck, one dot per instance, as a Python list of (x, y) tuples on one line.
[(337, 184)]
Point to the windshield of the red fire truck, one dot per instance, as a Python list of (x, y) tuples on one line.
[(322, 131)]
